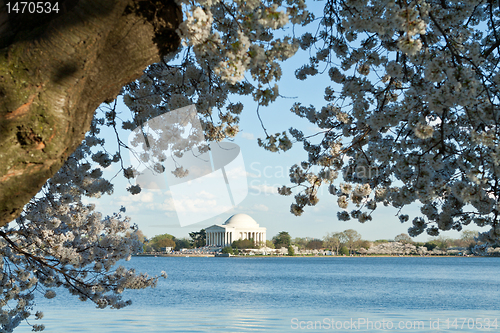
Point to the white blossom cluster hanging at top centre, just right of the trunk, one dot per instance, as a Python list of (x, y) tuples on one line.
[(222, 41)]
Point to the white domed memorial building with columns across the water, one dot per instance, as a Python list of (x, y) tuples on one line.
[(238, 226)]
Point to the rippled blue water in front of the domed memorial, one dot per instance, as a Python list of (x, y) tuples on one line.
[(255, 294)]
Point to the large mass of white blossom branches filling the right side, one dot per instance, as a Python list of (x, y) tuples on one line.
[(415, 109)]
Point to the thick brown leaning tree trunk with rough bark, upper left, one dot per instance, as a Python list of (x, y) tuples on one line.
[(56, 69)]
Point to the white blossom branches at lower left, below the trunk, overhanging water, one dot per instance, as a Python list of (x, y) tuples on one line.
[(60, 242)]
